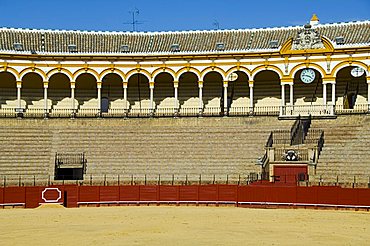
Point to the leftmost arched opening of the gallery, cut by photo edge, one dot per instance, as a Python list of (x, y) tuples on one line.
[(8, 94)]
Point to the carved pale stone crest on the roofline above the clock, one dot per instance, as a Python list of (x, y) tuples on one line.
[(307, 39)]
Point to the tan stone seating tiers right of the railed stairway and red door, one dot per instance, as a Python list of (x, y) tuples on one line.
[(346, 152)]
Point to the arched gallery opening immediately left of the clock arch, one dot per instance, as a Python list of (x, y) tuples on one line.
[(267, 92)]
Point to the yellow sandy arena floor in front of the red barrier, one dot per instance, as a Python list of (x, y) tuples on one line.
[(182, 226)]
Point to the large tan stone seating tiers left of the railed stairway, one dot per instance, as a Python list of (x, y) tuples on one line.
[(184, 146)]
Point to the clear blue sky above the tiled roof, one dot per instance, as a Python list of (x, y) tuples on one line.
[(162, 15)]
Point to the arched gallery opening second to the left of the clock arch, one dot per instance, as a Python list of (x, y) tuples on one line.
[(238, 94)]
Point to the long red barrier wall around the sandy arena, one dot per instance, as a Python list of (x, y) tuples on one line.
[(73, 195)]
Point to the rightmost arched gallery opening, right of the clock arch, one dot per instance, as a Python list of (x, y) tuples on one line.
[(351, 90)]
